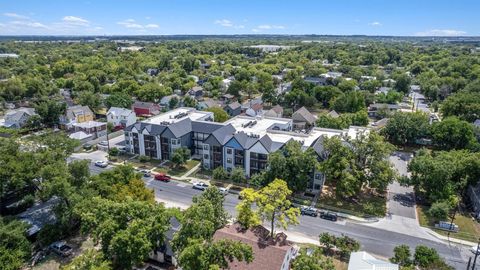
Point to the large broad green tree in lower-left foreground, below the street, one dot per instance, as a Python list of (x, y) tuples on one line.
[(127, 231)]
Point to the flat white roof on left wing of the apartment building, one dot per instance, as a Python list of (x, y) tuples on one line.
[(177, 115)]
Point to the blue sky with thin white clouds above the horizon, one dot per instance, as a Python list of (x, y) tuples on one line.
[(167, 17)]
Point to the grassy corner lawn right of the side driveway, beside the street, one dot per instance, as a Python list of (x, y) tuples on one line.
[(469, 229)]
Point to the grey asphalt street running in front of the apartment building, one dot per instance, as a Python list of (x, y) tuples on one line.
[(373, 240)]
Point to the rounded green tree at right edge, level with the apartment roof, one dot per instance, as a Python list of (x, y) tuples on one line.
[(453, 133)]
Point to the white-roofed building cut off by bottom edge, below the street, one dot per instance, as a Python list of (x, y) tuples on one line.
[(362, 260)]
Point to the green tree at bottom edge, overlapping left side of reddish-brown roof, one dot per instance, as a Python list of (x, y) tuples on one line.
[(209, 255)]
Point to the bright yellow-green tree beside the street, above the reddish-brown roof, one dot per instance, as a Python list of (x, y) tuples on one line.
[(274, 207)]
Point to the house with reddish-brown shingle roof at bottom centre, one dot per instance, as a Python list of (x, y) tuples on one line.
[(269, 253)]
